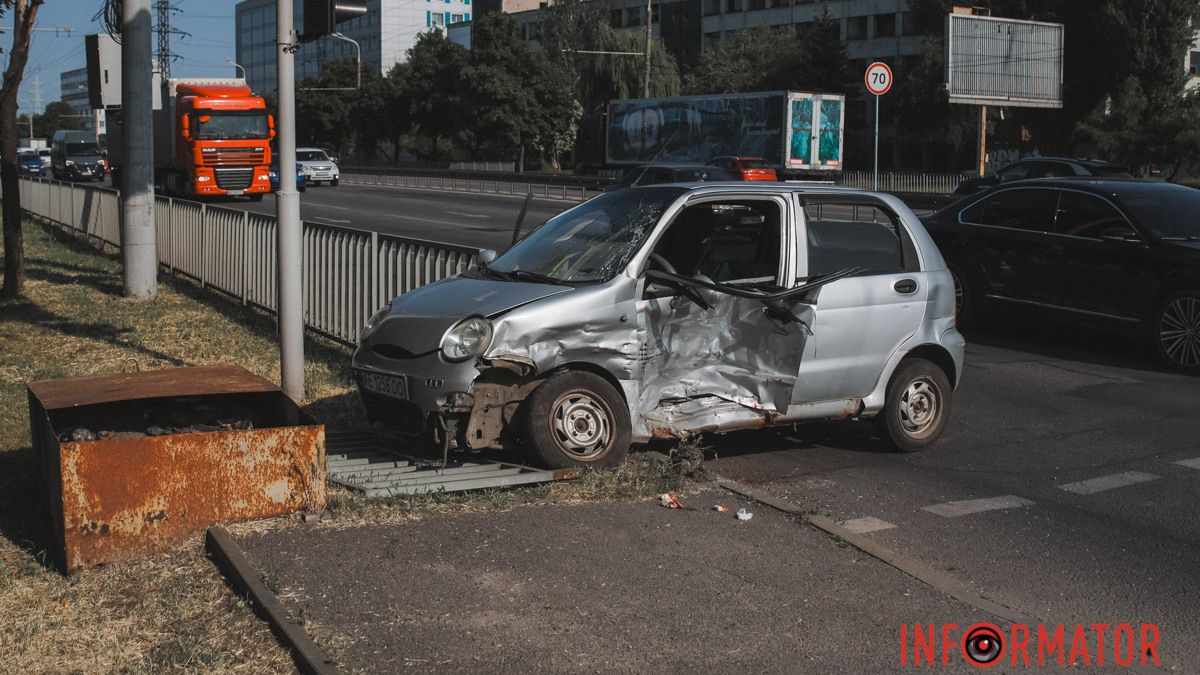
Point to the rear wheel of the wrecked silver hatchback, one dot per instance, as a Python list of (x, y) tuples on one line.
[(917, 407)]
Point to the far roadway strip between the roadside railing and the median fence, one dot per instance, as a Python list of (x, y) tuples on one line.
[(457, 218)]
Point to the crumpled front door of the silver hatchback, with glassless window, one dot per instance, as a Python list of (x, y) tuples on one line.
[(735, 349)]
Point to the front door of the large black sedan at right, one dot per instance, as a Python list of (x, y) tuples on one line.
[(1102, 260)]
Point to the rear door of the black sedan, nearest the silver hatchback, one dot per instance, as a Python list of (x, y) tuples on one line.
[(1006, 240)]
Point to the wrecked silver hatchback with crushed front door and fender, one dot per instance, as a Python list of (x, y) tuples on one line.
[(670, 312)]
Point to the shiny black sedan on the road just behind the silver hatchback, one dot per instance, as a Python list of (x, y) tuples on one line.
[(1118, 254)]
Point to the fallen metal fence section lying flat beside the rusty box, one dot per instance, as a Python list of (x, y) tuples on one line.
[(363, 462)]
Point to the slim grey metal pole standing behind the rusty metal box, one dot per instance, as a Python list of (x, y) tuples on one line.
[(287, 210)]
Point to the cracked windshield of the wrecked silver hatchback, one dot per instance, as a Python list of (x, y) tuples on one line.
[(592, 242)]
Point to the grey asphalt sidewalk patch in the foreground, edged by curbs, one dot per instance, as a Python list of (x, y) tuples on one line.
[(602, 588)]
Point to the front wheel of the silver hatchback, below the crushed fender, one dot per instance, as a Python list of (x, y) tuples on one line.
[(599, 432)]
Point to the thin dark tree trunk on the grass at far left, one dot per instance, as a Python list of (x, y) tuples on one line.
[(25, 14)]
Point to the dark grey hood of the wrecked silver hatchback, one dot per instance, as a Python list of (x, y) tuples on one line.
[(419, 319)]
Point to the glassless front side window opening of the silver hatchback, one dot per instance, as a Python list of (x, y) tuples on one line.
[(729, 242)]
